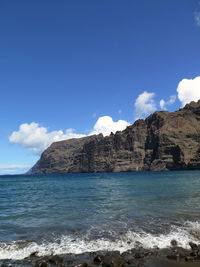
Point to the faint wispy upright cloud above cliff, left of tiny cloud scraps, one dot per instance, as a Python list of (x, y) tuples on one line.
[(144, 105)]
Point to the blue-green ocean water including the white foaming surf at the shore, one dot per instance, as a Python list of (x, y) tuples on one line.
[(75, 213)]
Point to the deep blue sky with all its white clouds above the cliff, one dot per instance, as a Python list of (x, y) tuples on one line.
[(74, 68)]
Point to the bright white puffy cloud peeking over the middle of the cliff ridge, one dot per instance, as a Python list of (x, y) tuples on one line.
[(106, 125)]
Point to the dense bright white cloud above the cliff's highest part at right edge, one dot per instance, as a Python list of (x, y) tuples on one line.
[(189, 90)]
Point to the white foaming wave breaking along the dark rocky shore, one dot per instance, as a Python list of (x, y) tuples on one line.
[(18, 250)]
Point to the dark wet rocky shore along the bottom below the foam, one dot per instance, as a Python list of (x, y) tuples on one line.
[(170, 257)]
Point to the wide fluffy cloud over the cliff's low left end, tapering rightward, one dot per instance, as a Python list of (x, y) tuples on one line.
[(37, 138)]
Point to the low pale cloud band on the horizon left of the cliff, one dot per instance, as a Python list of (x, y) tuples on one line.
[(13, 168)]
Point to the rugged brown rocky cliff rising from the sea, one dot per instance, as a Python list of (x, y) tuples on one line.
[(164, 141)]
